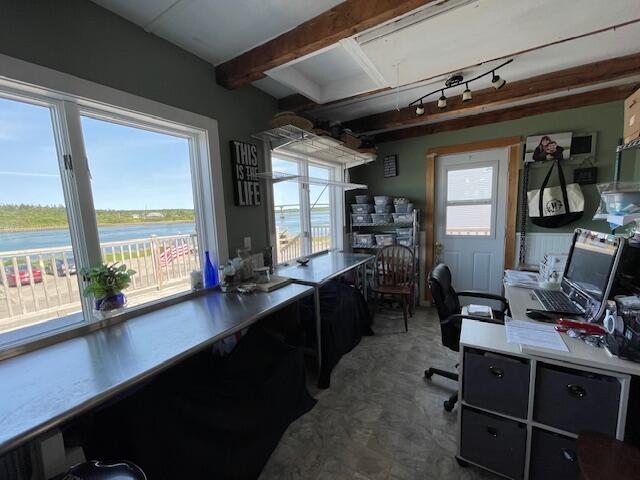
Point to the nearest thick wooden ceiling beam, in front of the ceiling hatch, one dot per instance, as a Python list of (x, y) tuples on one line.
[(342, 21)]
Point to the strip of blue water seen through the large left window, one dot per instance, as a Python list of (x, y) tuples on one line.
[(10, 241)]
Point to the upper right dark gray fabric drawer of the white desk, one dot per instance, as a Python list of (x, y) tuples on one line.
[(576, 401)]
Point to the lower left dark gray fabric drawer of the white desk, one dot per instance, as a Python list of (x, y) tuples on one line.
[(493, 442)]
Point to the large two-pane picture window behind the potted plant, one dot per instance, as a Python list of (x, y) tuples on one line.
[(83, 184)]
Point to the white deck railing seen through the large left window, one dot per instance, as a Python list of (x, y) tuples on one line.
[(41, 284)]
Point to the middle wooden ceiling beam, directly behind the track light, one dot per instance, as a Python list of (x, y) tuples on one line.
[(570, 78)]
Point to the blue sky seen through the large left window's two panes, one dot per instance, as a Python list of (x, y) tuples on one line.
[(131, 168)]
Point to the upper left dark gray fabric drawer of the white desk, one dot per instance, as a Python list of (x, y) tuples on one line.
[(496, 382)]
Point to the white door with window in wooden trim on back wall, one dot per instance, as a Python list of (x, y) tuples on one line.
[(471, 195)]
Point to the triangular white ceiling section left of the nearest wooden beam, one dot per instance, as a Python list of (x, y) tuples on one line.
[(218, 30)]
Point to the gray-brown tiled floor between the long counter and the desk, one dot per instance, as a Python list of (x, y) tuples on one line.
[(380, 419)]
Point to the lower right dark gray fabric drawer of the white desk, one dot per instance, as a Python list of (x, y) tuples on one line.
[(553, 456)]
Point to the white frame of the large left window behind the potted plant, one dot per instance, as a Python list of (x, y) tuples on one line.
[(68, 98)]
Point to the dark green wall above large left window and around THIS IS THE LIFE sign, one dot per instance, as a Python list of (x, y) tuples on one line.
[(81, 38)]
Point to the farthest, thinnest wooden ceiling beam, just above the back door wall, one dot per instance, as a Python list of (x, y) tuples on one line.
[(584, 99)]
